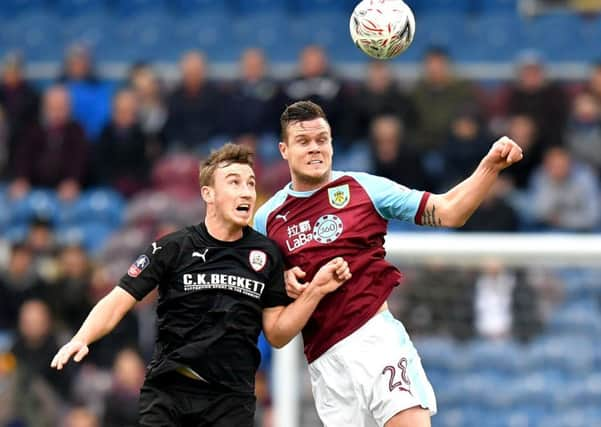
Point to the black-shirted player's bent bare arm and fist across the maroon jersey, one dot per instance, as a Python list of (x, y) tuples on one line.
[(281, 324)]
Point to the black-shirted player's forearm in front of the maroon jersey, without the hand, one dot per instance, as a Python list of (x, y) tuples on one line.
[(294, 317)]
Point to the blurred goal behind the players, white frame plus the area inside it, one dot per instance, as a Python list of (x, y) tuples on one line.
[(507, 326)]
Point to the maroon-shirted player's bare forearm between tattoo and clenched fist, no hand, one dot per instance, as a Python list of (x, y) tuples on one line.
[(462, 200)]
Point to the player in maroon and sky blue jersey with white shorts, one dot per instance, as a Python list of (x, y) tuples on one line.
[(364, 369)]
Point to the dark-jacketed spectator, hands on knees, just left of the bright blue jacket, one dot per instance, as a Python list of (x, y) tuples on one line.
[(52, 153)]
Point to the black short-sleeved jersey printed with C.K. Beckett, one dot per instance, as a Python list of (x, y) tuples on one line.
[(211, 296)]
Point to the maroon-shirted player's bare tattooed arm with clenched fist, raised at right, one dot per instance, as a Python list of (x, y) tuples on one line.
[(453, 208)]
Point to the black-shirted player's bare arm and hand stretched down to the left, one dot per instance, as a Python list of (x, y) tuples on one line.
[(103, 318)]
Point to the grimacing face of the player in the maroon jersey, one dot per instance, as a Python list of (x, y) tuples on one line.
[(308, 149)]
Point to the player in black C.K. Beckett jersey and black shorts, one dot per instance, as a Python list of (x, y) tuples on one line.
[(219, 283)]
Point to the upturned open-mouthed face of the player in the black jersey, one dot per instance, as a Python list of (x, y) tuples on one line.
[(232, 196)]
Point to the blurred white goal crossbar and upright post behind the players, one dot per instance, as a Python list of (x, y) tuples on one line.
[(460, 249)]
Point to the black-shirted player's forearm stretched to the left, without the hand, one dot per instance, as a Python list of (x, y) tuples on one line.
[(103, 318)]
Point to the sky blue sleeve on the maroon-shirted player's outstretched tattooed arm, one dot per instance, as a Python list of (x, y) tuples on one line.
[(391, 200)]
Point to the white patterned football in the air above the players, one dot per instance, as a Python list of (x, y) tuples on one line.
[(382, 29)]
